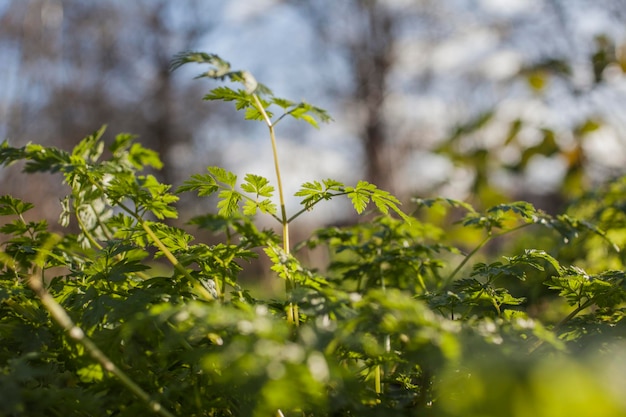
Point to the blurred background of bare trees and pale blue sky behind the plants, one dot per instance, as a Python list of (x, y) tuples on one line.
[(481, 100)]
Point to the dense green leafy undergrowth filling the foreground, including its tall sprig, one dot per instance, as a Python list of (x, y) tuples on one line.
[(411, 316)]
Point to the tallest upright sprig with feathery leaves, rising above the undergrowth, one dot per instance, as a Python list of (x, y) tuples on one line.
[(257, 100)]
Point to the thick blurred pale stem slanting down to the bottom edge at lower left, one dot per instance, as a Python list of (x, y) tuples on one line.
[(78, 335)]
